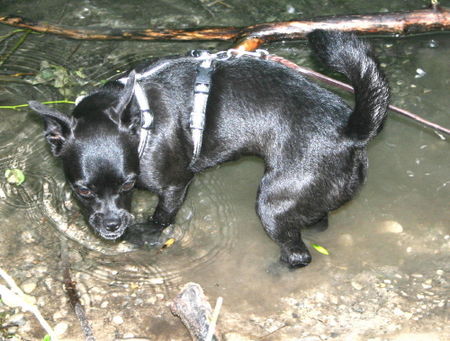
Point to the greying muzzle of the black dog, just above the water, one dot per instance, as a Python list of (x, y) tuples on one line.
[(110, 227)]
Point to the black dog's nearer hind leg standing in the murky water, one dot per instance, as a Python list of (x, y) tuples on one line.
[(284, 208)]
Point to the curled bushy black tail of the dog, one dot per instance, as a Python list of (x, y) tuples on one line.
[(345, 53)]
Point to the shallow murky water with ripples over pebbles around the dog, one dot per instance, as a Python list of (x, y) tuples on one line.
[(389, 247)]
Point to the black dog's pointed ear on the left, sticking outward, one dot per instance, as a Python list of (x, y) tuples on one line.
[(58, 126)]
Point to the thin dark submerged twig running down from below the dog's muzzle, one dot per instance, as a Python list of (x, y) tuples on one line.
[(72, 293)]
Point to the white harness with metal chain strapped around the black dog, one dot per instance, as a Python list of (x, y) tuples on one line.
[(201, 92)]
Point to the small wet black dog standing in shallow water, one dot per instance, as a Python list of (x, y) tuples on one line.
[(312, 143)]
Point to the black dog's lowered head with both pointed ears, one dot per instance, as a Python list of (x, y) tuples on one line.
[(98, 146)]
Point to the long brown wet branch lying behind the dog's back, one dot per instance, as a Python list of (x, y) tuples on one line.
[(433, 19)]
